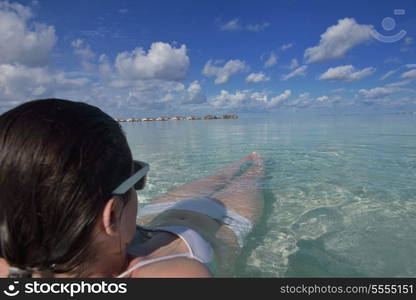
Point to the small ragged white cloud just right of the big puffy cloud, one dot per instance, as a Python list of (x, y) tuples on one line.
[(224, 73)]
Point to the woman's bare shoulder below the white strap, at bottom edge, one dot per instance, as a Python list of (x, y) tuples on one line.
[(178, 267)]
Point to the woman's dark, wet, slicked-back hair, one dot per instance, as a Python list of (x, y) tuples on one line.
[(59, 163)]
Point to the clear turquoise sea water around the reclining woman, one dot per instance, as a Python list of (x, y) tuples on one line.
[(340, 190)]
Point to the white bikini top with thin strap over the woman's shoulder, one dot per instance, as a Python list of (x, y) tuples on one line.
[(198, 247)]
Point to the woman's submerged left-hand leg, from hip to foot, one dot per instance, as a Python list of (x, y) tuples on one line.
[(207, 185)]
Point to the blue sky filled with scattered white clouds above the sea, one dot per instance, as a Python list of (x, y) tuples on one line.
[(137, 58)]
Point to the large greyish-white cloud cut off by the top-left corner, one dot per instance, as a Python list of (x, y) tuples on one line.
[(21, 41)]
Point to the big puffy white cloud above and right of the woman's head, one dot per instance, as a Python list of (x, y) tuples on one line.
[(162, 61)]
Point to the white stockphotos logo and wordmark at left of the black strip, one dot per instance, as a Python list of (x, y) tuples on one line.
[(64, 288)]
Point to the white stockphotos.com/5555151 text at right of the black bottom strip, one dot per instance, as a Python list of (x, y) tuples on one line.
[(370, 289)]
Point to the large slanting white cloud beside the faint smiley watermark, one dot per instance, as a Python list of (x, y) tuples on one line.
[(337, 40)]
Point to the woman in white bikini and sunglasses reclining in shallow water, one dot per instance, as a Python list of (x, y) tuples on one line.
[(69, 205)]
